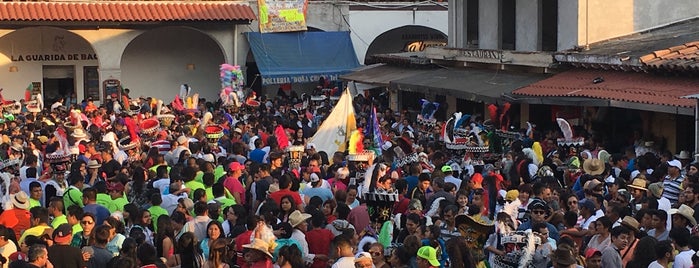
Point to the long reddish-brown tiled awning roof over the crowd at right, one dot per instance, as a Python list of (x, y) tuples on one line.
[(617, 86)]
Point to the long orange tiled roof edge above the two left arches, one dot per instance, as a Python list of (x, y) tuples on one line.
[(125, 11)]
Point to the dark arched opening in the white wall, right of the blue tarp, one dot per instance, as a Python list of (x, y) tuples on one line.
[(410, 38)]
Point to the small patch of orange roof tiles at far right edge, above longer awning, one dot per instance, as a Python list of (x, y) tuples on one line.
[(683, 58)]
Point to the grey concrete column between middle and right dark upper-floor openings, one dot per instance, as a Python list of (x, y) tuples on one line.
[(528, 25)]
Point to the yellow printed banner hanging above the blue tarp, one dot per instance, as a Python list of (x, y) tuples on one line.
[(282, 15)]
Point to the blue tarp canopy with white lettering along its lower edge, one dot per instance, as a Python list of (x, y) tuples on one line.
[(302, 57)]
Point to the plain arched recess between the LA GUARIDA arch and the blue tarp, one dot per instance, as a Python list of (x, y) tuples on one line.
[(158, 61)]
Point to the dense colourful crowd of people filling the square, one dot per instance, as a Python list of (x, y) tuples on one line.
[(89, 186)]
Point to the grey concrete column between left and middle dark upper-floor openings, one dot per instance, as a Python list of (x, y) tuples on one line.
[(489, 34)]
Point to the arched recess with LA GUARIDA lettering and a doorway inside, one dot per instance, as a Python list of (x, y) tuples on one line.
[(52, 61)]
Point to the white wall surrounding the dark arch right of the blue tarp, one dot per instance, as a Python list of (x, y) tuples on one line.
[(367, 25)]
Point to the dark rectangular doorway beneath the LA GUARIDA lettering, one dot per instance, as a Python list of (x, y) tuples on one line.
[(59, 82)]
